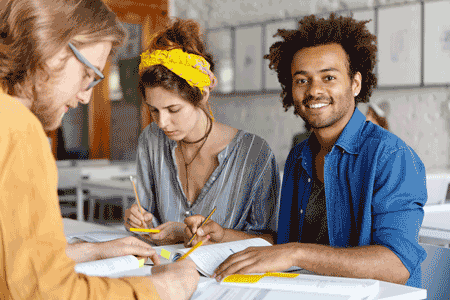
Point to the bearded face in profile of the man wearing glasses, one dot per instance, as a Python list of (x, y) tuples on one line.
[(67, 87)]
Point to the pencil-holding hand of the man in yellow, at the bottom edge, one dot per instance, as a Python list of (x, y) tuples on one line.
[(176, 281)]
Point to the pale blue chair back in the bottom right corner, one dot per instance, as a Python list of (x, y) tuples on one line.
[(436, 272)]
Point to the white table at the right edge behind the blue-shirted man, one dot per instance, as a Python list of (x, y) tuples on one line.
[(436, 223)]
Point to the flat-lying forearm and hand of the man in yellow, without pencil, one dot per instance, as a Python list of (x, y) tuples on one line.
[(82, 252)]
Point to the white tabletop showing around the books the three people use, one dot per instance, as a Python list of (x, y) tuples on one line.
[(388, 291)]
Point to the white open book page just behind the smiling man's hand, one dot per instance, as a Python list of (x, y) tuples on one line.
[(208, 258)]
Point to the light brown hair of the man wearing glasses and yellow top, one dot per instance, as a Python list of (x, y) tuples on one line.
[(32, 31)]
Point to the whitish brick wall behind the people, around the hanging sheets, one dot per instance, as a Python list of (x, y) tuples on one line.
[(419, 116)]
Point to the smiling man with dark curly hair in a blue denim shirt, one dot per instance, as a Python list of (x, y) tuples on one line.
[(353, 193)]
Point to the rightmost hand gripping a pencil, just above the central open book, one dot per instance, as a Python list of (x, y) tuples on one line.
[(211, 228)]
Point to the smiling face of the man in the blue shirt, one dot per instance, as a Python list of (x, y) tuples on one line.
[(322, 89)]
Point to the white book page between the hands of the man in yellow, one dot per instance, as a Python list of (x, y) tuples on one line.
[(109, 266)]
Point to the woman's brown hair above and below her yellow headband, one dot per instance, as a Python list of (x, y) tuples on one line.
[(181, 34)]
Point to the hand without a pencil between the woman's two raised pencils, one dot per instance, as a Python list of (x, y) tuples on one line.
[(171, 233)]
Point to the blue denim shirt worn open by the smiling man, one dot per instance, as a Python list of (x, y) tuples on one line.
[(375, 192)]
